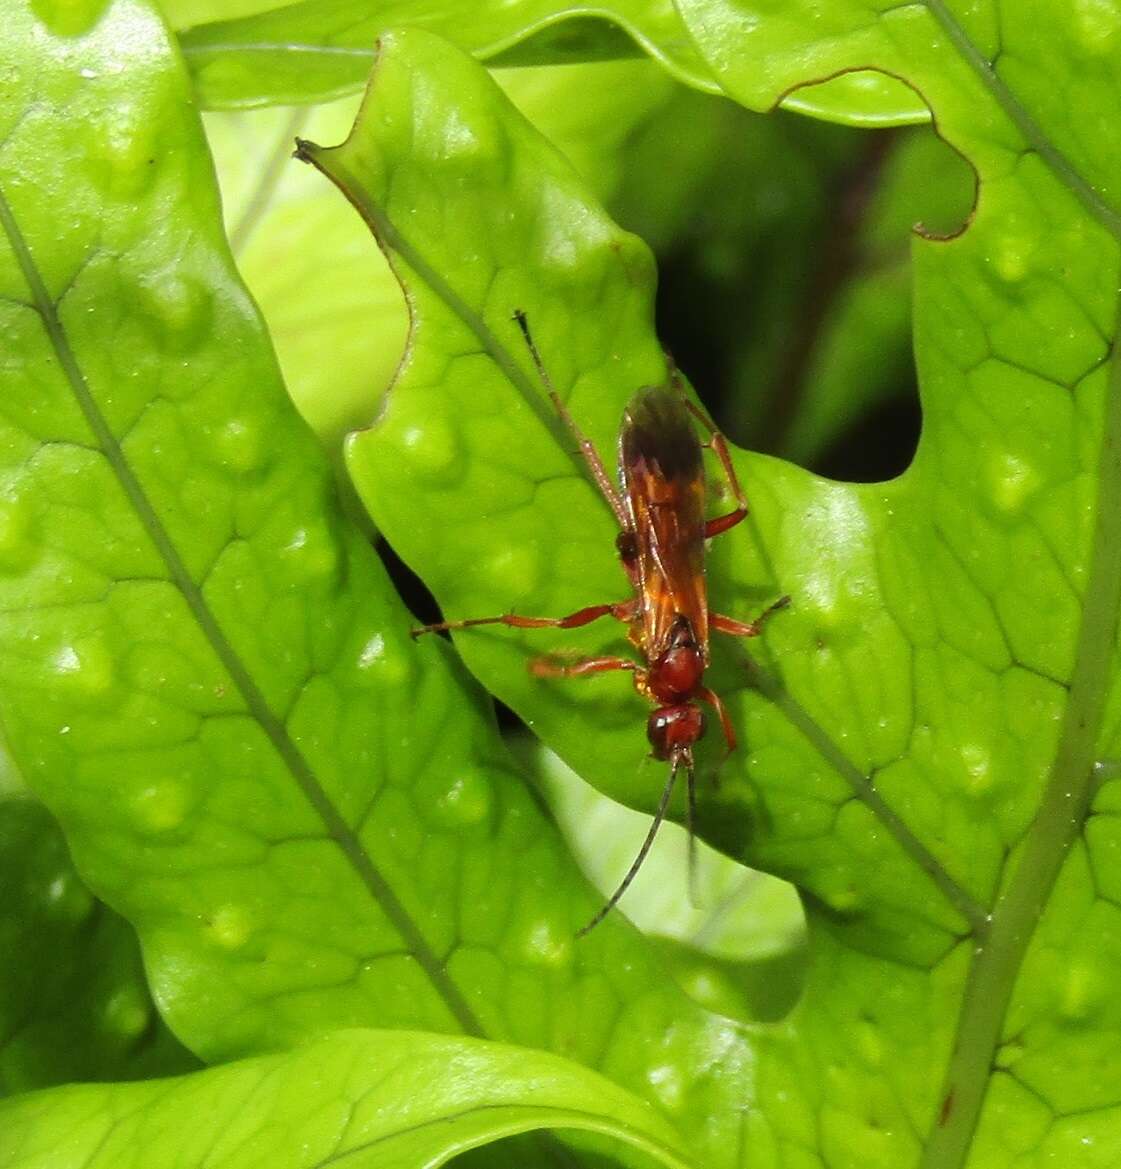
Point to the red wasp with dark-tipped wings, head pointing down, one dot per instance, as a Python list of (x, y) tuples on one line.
[(661, 511)]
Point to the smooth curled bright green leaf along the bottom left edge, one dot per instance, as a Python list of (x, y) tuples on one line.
[(373, 1099)]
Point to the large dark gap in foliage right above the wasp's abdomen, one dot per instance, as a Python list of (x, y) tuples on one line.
[(760, 295)]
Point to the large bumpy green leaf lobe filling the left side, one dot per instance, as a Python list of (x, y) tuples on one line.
[(204, 670)]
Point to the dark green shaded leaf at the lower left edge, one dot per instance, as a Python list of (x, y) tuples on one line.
[(74, 1004)]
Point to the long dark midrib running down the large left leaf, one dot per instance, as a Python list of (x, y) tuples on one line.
[(294, 760)]
